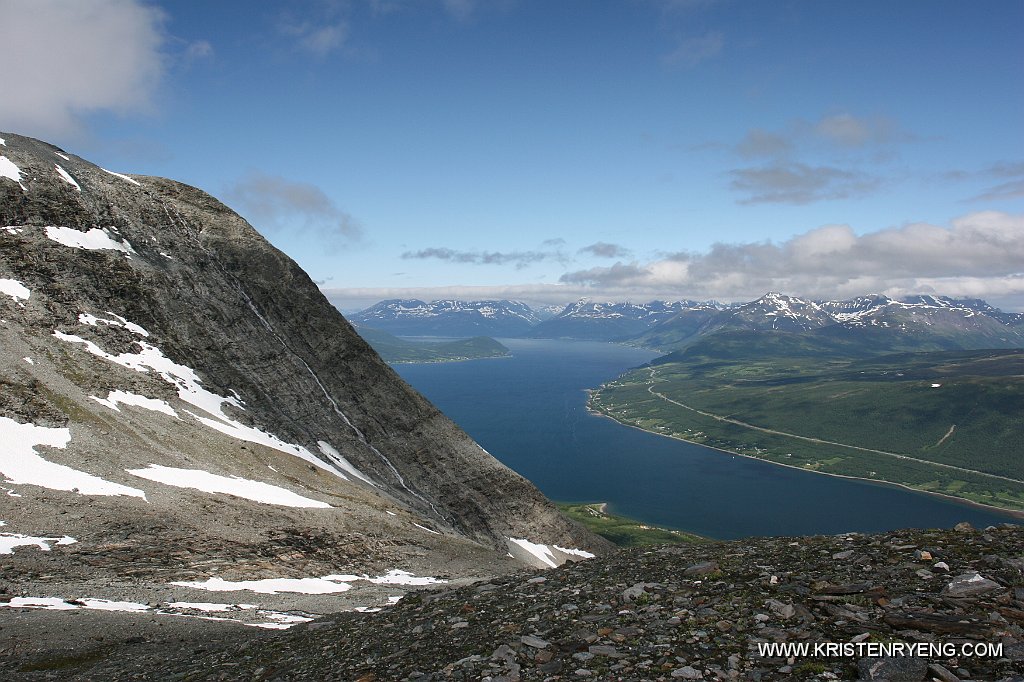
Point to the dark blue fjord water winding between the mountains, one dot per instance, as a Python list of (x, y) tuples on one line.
[(530, 412)]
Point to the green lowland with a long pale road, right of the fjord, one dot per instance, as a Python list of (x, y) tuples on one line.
[(950, 422)]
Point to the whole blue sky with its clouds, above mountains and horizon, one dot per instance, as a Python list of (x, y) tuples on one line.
[(547, 151)]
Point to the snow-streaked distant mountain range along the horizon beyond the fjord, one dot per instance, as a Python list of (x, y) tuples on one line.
[(925, 323)]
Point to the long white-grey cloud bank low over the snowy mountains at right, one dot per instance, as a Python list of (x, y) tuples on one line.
[(977, 255)]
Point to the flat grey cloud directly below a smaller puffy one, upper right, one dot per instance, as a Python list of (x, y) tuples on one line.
[(799, 184)]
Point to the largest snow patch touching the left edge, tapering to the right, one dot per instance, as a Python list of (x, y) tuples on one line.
[(23, 466)]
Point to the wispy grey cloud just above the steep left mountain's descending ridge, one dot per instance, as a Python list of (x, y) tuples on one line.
[(275, 204)]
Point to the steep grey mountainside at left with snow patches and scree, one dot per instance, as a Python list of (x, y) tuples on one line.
[(149, 331)]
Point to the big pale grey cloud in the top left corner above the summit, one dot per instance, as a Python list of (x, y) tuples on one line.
[(67, 60)]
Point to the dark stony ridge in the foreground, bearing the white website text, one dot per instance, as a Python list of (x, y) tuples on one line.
[(663, 614)]
